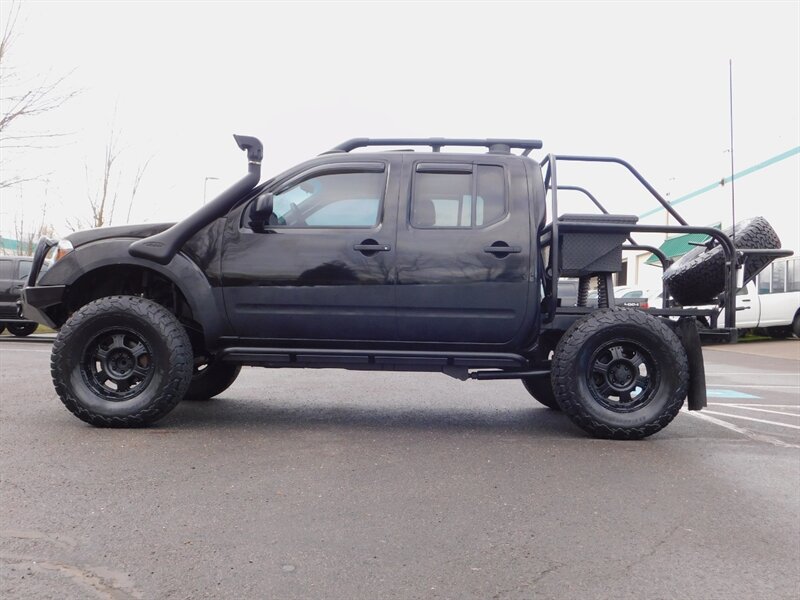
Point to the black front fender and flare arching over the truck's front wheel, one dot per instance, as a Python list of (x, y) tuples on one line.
[(203, 297)]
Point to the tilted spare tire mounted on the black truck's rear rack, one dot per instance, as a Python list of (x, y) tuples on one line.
[(699, 275)]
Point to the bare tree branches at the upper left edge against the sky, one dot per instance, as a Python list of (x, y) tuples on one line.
[(21, 99)]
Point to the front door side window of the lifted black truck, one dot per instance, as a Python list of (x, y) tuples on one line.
[(332, 200)]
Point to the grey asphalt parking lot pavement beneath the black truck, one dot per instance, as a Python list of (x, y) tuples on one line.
[(336, 484)]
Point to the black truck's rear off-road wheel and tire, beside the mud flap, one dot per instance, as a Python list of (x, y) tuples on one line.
[(624, 336)]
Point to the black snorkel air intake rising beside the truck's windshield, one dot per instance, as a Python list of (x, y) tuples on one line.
[(162, 247)]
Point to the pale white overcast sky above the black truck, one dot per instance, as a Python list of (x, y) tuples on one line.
[(647, 82)]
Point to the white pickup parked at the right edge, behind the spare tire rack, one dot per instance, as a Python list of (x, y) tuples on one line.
[(772, 303)]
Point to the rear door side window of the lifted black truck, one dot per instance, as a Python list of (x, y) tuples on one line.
[(472, 199)]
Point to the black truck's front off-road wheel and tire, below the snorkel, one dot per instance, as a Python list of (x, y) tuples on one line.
[(109, 338)]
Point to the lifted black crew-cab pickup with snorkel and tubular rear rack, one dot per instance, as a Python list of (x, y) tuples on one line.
[(398, 260)]
